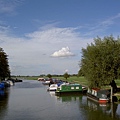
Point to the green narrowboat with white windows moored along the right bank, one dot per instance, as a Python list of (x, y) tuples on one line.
[(70, 89)]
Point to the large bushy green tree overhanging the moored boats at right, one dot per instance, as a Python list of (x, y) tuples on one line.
[(101, 61)]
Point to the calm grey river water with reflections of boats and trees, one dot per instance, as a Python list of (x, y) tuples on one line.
[(30, 100)]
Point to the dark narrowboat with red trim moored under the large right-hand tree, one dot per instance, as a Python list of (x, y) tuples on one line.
[(98, 95)]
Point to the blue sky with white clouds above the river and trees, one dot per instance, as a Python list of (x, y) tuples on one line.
[(47, 36)]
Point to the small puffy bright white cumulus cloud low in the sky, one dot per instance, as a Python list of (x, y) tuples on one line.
[(64, 52)]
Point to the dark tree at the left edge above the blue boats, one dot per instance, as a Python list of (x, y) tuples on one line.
[(4, 67)]
